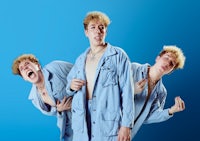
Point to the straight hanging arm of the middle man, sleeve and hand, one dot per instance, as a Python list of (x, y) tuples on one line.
[(127, 95)]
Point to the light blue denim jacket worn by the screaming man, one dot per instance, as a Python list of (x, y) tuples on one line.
[(55, 74)]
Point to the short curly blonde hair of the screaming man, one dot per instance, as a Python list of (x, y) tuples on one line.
[(17, 61)]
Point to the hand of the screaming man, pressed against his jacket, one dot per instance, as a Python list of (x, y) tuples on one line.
[(64, 105)]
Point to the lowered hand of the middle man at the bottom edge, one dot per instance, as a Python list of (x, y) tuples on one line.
[(124, 134)]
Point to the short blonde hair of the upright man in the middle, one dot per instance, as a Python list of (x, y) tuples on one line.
[(96, 15)]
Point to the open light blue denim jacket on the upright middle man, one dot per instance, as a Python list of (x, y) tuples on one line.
[(112, 97)]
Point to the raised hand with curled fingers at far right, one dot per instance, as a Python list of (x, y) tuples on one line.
[(178, 106)]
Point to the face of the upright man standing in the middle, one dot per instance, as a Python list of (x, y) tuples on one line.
[(96, 33)]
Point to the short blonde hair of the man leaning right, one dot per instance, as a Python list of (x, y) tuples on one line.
[(180, 58)]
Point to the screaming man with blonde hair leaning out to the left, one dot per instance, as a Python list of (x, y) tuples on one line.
[(48, 90)]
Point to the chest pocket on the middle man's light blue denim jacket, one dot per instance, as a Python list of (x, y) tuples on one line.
[(108, 74)]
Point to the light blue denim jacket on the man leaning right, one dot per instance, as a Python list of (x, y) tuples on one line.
[(154, 111)]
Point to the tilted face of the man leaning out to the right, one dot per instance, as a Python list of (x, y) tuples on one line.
[(166, 62)]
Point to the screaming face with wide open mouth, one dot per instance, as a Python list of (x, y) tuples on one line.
[(29, 71)]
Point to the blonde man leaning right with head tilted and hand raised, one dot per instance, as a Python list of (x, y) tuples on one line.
[(150, 92)]
